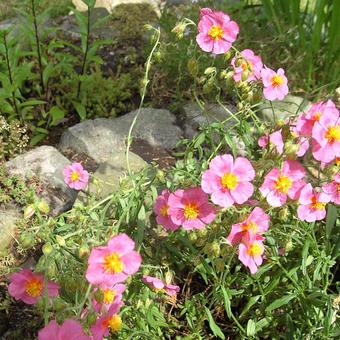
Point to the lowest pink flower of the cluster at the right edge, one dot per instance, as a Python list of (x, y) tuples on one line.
[(312, 204)]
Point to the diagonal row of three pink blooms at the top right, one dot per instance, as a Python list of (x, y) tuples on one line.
[(216, 33)]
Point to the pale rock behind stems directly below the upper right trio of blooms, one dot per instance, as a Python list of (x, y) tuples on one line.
[(290, 106)]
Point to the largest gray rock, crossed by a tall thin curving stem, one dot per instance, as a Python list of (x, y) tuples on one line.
[(101, 138)]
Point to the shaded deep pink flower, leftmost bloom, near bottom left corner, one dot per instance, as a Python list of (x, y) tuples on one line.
[(29, 287)]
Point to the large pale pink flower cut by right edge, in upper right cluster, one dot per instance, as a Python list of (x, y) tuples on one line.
[(326, 137)]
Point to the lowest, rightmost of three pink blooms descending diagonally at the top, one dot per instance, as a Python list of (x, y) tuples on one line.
[(275, 84)]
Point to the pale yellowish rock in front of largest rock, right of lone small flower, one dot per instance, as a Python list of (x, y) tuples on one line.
[(109, 174)]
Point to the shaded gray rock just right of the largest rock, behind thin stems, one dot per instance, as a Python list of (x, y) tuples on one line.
[(195, 117)]
